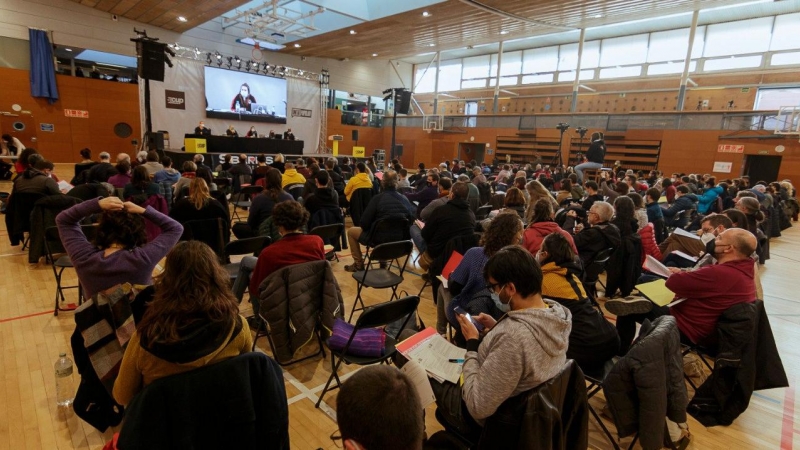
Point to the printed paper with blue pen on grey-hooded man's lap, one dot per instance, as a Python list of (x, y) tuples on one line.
[(430, 350)]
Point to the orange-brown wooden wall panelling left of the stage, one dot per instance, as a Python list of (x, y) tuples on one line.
[(108, 103)]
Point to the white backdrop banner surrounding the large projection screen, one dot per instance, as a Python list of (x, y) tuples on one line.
[(187, 77)]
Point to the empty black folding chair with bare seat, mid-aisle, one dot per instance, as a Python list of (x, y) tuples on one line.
[(381, 278)]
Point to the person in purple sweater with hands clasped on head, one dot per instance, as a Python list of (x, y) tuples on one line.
[(120, 252)]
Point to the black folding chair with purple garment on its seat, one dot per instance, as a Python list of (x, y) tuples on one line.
[(373, 317)]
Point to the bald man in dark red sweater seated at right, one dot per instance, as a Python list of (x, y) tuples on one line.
[(708, 291)]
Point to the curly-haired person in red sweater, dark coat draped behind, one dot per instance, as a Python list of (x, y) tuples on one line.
[(294, 247)]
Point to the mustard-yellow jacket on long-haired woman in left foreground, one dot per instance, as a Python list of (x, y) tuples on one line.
[(140, 367)]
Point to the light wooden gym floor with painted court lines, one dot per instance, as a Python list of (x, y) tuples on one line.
[(31, 339)]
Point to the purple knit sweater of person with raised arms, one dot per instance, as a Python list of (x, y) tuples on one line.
[(97, 272)]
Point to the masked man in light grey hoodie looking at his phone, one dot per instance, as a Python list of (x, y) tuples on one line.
[(524, 348)]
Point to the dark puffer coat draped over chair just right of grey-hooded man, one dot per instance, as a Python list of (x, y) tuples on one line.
[(647, 382)]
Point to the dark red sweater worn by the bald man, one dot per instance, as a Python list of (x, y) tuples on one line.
[(709, 292)]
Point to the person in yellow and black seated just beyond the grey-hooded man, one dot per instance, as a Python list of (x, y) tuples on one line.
[(593, 340)]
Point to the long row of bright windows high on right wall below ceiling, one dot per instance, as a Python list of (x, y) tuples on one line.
[(769, 43)]
